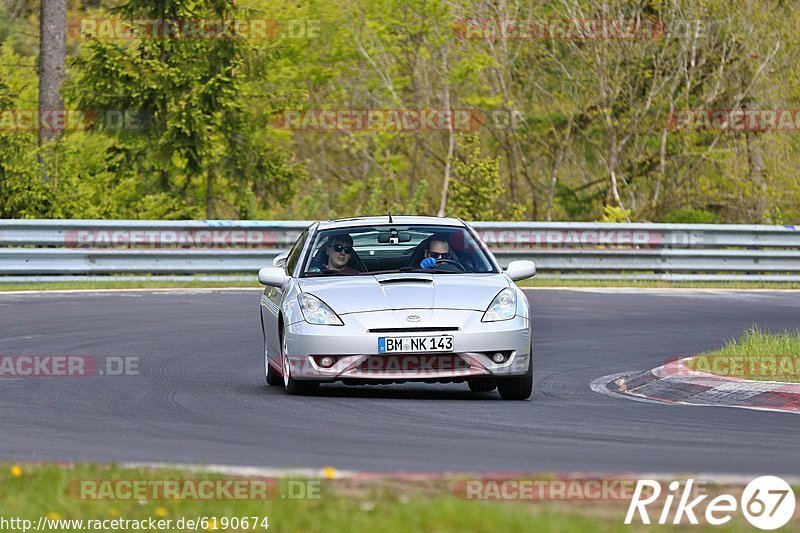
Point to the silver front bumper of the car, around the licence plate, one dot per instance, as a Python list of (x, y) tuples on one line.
[(354, 347)]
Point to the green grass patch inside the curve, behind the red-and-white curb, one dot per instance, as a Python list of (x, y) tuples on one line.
[(757, 355)]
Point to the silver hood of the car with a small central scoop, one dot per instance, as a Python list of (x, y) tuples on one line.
[(355, 294)]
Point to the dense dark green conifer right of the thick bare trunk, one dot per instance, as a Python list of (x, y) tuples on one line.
[(203, 150)]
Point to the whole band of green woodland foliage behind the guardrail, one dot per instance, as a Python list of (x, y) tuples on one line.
[(555, 116)]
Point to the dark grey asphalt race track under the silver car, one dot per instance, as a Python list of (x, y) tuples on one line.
[(200, 396)]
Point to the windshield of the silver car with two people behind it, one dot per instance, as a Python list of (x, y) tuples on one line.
[(390, 248)]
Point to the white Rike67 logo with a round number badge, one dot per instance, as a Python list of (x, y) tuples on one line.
[(767, 502)]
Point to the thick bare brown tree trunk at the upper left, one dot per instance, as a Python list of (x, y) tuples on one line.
[(52, 62)]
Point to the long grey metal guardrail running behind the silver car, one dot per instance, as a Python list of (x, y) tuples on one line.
[(52, 250)]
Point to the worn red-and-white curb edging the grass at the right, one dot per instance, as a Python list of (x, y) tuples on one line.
[(675, 383)]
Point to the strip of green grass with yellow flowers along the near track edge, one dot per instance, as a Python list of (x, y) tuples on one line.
[(31, 491)]
